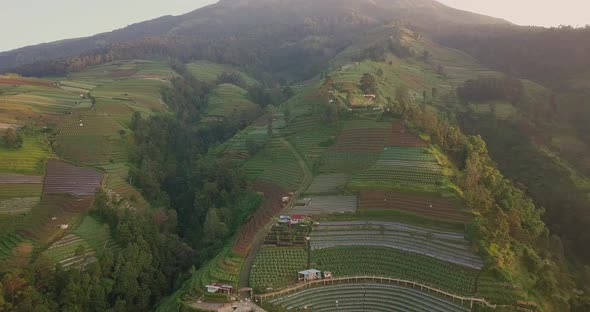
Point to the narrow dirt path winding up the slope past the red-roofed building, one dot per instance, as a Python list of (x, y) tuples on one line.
[(259, 240)]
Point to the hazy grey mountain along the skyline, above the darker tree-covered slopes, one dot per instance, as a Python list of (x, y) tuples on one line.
[(234, 18)]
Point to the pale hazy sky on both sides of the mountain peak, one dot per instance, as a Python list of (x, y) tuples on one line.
[(37, 21)]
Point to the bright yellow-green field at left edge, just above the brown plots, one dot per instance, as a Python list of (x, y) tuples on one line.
[(28, 159)]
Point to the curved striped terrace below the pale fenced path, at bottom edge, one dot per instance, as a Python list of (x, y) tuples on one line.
[(366, 297)]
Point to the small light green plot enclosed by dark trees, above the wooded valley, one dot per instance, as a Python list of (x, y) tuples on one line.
[(228, 100)]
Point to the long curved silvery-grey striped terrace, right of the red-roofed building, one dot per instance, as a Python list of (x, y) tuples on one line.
[(445, 246)]
